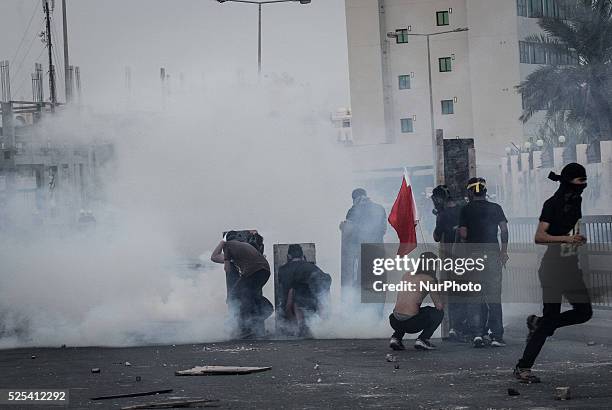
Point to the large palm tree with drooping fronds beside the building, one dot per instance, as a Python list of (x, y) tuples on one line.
[(576, 83)]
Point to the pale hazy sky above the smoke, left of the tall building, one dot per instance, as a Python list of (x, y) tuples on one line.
[(200, 38)]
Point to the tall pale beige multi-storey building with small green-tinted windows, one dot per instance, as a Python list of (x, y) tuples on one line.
[(474, 74)]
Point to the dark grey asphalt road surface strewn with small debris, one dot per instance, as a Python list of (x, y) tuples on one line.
[(350, 374)]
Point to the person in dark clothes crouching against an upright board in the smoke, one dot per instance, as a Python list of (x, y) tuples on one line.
[(304, 293)]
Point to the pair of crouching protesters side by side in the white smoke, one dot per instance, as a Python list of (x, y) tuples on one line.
[(303, 286)]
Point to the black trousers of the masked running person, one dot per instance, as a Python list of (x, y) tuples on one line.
[(559, 277)]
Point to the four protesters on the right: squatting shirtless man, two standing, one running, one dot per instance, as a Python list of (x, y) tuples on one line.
[(479, 317)]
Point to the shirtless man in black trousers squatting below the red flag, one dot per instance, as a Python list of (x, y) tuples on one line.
[(409, 316)]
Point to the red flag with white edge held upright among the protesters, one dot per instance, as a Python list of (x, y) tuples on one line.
[(404, 217)]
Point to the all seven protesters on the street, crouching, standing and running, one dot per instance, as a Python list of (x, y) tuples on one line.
[(476, 223)]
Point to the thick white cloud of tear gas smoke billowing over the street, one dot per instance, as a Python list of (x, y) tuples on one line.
[(259, 156)]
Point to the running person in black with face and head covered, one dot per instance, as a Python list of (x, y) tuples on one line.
[(560, 275)]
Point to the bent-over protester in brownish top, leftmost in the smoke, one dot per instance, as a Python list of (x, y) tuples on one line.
[(250, 270)]
